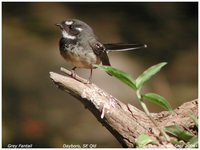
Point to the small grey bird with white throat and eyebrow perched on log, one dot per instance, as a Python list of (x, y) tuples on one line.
[(80, 46)]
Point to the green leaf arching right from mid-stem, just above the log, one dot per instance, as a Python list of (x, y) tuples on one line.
[(155, 98)]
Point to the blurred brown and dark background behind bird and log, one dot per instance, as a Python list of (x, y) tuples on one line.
[(36, 112)]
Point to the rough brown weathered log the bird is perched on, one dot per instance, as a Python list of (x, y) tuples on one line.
[(124, 121)]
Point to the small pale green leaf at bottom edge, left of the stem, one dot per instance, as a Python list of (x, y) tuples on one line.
[(142, 140)]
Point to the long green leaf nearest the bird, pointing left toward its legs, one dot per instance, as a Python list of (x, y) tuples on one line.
[(121, 75)]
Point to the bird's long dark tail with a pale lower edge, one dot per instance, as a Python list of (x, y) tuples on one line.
[(123, 47)]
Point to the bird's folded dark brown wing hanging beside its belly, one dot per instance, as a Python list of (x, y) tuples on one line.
[(100, 51)]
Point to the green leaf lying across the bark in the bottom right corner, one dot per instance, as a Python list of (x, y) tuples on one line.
[(179, 132)]
